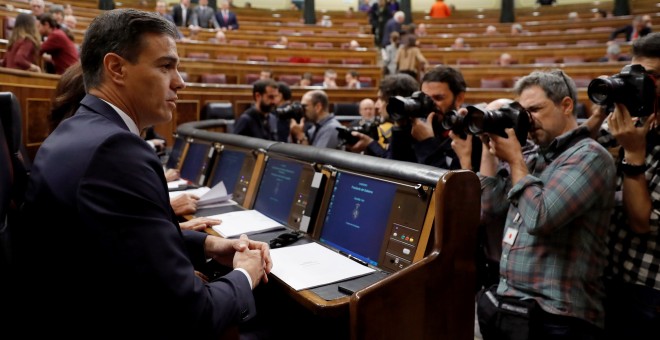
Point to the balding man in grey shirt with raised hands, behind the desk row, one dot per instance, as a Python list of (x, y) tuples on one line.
[(322, 133)]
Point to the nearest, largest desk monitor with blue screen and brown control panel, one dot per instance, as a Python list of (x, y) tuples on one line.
[(376, 220)]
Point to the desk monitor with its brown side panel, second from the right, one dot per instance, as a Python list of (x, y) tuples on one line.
[(287, 192)]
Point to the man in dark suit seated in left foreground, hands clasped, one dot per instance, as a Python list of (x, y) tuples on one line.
[(117, 262)]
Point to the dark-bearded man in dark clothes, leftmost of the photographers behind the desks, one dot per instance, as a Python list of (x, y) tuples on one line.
[(257, 121)]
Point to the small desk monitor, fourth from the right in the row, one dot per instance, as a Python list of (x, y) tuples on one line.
[(197, 156)]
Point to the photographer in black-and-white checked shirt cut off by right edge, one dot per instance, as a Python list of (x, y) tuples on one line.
[(629, 102)]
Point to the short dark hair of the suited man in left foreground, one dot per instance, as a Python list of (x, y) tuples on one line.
[(119, 31)]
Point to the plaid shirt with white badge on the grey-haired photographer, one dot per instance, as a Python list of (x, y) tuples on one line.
[(556, 222)]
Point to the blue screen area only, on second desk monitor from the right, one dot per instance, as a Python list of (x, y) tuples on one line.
[(277, 189)]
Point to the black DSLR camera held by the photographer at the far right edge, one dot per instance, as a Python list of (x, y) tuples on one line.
[(632, 87)]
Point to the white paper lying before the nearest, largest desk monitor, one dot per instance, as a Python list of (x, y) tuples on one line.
[(311, 265)]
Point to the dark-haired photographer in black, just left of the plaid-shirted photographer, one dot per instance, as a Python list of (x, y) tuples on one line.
[(446, 87)]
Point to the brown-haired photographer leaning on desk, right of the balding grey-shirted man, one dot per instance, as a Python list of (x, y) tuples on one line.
[(391, 86)]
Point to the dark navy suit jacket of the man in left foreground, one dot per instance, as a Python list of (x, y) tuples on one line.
[(111, 252)]
